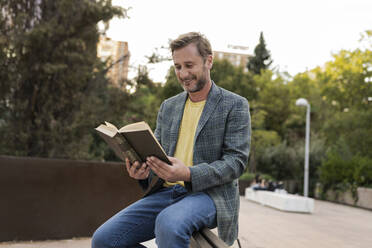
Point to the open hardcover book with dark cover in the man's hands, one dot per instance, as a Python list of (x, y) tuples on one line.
[(136, 142)]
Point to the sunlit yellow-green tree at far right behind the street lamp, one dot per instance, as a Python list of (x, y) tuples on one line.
[(339, 94)]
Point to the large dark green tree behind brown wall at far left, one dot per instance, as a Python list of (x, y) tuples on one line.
[(50, 75)]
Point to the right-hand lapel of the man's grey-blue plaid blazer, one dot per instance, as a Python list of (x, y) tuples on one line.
[(214, 97)]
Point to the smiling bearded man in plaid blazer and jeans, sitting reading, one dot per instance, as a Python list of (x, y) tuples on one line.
[(206, 132)]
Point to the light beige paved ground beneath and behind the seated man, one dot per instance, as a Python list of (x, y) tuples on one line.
[(330, 226)]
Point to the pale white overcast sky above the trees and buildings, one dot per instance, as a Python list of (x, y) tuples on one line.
[(300, 34)]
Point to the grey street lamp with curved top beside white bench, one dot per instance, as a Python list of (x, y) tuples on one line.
[(305, 103)]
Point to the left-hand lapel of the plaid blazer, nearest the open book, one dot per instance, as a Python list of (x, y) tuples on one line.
[(176, 122)]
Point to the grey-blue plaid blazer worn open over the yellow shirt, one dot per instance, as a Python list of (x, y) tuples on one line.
[(221, 149)]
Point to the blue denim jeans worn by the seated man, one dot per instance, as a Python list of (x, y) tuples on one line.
[(170, 215)]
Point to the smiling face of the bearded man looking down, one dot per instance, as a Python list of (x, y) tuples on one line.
[(192, 72)]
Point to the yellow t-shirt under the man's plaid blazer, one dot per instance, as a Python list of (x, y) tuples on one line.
[(185, 144)]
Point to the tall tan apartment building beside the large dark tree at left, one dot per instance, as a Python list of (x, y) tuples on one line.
[(116, 52)]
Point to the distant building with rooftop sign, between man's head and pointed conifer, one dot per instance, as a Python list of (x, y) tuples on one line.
[(237, 55)]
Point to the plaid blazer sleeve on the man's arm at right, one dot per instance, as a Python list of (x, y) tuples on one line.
[(235, 151)]
